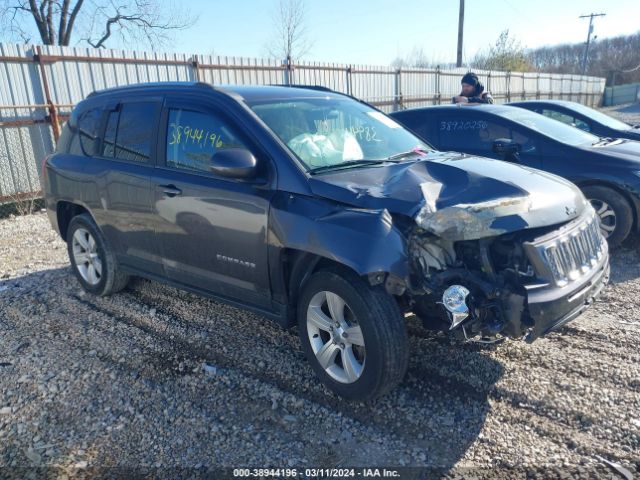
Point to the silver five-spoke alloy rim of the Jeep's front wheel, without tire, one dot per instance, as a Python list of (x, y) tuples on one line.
[(335, 337)]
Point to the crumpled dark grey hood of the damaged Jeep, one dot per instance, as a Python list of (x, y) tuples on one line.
[(458, 197)]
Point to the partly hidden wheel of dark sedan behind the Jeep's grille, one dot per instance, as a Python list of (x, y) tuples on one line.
[(614, 212)]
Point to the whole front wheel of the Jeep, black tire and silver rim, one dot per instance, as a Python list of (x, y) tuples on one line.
[(353, 335)]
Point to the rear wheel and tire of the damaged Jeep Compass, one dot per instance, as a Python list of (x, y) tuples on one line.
[(92, 260)]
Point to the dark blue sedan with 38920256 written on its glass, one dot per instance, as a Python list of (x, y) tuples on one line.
[(607, 170)]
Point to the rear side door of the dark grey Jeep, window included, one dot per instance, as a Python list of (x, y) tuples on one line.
[(122, 166)]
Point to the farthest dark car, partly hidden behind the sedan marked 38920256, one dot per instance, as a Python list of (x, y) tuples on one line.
[(582, 117)]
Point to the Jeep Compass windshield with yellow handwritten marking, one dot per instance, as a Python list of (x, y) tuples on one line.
[(330, 132)]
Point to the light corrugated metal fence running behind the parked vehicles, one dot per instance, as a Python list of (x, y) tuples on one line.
[(39, 85)]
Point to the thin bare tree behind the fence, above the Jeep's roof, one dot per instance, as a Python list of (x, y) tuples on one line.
[(291, 38)]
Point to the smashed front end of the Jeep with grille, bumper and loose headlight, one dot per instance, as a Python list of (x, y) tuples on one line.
[(469, 277)]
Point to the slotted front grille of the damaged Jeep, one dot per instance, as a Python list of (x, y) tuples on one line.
[(573, 253)]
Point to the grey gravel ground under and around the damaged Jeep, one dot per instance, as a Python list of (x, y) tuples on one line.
[(158, 378)]
